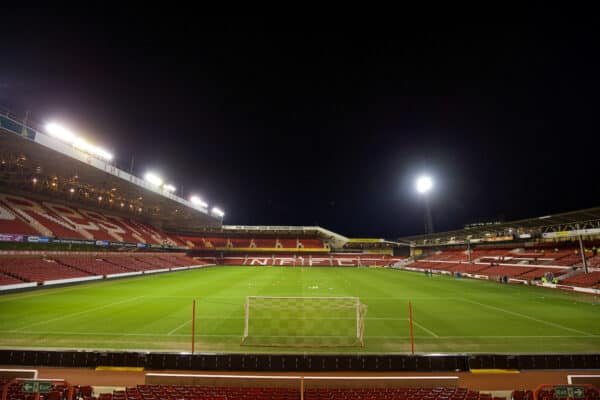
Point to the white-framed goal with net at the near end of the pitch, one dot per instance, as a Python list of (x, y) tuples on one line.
[(304, 321)]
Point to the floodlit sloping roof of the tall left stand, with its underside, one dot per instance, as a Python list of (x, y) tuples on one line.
[(36, 164)]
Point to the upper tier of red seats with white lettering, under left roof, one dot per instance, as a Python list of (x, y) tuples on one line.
[(20, 215)]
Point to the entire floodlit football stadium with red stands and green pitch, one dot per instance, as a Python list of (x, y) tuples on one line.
[(106, 272)]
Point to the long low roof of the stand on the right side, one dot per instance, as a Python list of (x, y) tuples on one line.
[(519, 229)]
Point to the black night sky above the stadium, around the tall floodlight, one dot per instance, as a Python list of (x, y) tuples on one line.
[(322, 122)]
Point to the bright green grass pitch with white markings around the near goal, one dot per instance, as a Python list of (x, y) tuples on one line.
[(154, 312)]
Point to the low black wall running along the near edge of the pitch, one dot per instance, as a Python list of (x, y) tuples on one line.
[(298, 363)]
